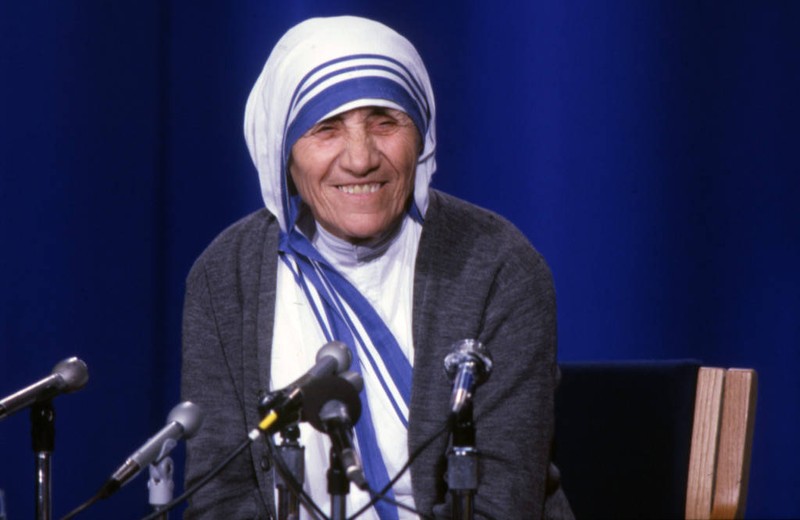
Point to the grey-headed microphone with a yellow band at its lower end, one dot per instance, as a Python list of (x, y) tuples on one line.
[(332, 358)]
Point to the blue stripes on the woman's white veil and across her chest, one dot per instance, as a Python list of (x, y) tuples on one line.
[(333, 289)]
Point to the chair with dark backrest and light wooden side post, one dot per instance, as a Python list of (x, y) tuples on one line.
[(663, 439)]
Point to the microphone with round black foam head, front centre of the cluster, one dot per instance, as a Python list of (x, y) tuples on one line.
[(332, 406)]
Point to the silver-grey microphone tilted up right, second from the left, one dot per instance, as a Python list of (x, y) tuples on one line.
[(183, 421)]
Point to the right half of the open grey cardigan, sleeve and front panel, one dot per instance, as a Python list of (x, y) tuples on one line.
[(479, 278)]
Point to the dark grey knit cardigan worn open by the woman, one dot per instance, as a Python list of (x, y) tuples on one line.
[(476, 276)]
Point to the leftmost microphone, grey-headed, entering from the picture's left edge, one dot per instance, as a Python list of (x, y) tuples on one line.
[(68, 375)]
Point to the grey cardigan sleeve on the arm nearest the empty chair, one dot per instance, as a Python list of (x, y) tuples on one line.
[(514, 413)]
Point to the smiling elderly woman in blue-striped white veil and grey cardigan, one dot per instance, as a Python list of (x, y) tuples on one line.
[(354, 246)]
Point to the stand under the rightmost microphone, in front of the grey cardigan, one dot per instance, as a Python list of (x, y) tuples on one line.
[(462, 465)]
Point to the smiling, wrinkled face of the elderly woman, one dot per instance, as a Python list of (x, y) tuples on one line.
[(356, 171)]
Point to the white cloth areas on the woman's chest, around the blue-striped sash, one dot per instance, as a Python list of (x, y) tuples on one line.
[(386, 281)]
